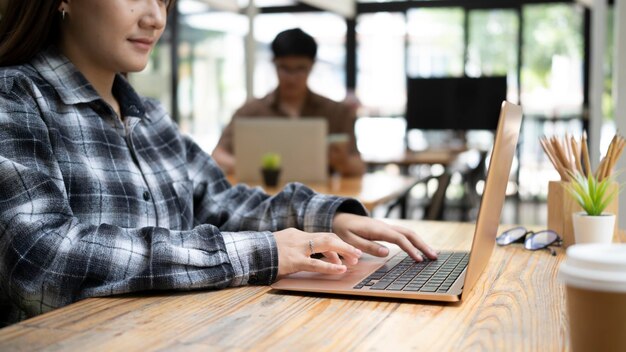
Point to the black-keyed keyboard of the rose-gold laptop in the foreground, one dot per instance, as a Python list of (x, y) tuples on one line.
[(402, 273)]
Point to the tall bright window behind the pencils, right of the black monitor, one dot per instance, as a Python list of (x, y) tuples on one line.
[(552, 87)]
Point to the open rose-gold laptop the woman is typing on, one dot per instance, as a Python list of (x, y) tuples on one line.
[(454, 273)]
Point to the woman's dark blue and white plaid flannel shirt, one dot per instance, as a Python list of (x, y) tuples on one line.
[(91, 206)]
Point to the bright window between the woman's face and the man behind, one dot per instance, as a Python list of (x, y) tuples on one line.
[(211, 73)]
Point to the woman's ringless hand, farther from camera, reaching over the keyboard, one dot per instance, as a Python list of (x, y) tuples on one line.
[(362, 231)]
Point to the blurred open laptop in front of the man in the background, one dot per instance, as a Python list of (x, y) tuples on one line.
[(301, 143)]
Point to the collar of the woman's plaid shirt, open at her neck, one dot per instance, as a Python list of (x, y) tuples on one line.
[(73, 88)]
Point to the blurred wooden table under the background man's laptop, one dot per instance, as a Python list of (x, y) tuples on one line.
[(371, 189)]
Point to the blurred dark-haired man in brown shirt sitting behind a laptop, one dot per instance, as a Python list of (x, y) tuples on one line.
[(294, 55)]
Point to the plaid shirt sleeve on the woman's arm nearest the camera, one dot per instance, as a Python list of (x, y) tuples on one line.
[(49, 258)]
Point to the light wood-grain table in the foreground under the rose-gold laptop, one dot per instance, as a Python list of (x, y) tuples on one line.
[(517, 305)]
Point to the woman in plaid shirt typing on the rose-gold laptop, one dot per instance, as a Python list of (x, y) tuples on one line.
[(100, 194)]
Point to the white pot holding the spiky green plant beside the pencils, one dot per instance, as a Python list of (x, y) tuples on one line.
[(593, 229)]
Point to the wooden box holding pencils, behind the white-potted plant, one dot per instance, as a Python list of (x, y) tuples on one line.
[(561, 206)]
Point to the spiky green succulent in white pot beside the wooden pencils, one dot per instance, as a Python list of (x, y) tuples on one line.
[(593, 224)]
